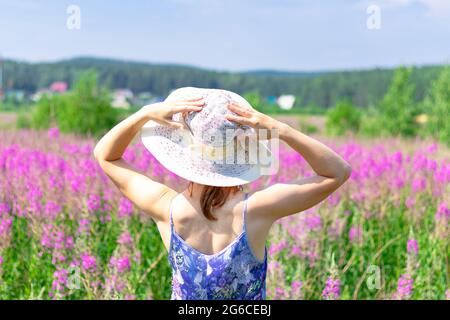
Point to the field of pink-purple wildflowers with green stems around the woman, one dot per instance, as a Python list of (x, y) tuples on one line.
[(67, 233)]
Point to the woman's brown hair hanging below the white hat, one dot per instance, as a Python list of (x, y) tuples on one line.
[(213, 197)]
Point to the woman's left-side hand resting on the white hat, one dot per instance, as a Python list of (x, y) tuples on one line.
[(162, 112)]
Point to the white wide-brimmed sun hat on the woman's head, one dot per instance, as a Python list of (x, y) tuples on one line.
[(211, 150)]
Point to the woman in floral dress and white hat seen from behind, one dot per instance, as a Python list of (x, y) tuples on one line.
[(215, 232)]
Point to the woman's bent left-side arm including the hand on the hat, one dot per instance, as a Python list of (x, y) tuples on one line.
[(135, 185)]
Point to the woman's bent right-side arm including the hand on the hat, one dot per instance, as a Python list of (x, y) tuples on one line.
[(283, 199)]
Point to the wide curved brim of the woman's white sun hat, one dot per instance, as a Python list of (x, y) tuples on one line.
[(168, 146)]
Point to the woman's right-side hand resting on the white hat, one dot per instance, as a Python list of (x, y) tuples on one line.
[(255, 119)]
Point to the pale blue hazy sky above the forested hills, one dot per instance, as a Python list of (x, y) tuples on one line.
[(231, 35)]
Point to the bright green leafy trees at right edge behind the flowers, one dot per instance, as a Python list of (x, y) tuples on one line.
[(398, 113)]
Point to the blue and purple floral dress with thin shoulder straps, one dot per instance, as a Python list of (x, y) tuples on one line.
[(234, 273)]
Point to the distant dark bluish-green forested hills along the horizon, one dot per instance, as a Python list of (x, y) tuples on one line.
[(312, 89)]
